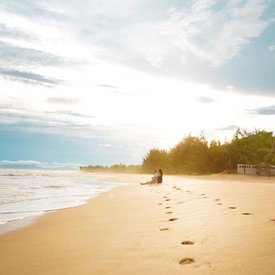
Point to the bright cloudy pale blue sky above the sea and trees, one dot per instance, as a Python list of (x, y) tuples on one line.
[(89, 82)]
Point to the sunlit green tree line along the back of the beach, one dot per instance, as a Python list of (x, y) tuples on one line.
[(195, 155)]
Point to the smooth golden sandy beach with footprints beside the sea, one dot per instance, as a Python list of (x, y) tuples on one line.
[(219, 224)]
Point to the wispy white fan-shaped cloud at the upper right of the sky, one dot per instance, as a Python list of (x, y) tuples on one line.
[(216, 31)]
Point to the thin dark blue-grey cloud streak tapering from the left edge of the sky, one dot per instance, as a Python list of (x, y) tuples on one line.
[(30, 78)]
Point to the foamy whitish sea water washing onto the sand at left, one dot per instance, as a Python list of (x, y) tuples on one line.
[(30, 193)]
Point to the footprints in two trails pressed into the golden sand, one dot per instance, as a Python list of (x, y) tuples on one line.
[(186, 261)]
